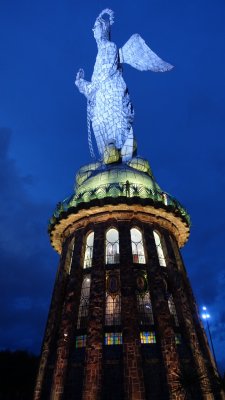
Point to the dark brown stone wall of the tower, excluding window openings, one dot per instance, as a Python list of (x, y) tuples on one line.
[(137, 362)]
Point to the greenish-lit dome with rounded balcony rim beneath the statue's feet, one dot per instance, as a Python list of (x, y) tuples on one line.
[(99, 184)]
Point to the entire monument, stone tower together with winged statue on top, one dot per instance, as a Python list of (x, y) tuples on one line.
[(123, 323)]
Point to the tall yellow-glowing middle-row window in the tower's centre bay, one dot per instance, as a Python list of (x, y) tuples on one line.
[(113, 299)]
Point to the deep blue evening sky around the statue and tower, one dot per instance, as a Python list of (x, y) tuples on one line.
[(179, 124)]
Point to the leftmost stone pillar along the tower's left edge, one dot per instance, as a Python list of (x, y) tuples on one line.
[(53, 319)]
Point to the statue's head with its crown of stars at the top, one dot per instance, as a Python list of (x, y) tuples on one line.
[(102, 25)]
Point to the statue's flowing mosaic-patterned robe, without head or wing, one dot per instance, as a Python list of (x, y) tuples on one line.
[(110, 109)]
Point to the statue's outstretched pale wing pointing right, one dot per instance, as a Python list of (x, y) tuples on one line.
[(136, 53)]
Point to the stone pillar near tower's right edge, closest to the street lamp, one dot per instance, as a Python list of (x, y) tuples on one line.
[(185, 316)]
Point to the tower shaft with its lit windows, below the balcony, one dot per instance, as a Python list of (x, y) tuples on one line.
[(127, 310)]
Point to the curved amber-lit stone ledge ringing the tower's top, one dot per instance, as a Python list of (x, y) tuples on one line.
[(99, 210)]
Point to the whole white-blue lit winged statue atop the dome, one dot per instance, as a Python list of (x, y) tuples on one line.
[(110, 112)]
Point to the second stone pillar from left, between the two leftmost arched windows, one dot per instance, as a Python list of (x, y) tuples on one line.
[(68, 320)]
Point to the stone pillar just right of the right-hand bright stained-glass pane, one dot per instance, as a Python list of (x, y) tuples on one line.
[(162, 317)]
